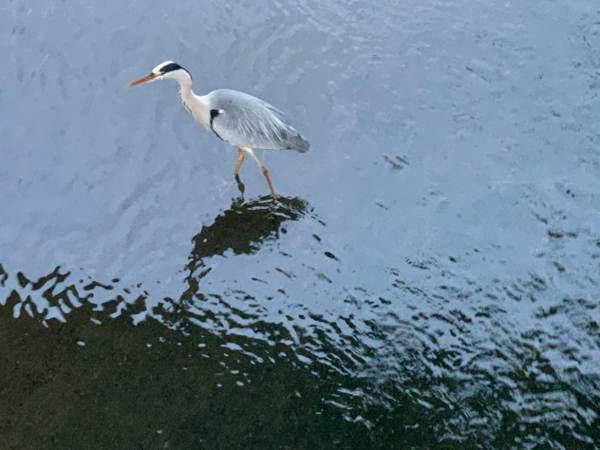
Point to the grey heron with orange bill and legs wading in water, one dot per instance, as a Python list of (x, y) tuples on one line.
[(235, 117)]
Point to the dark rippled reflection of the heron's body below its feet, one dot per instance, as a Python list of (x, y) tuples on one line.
[(244, 227)]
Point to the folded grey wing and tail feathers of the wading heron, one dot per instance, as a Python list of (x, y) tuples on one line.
[(247, 121)]
